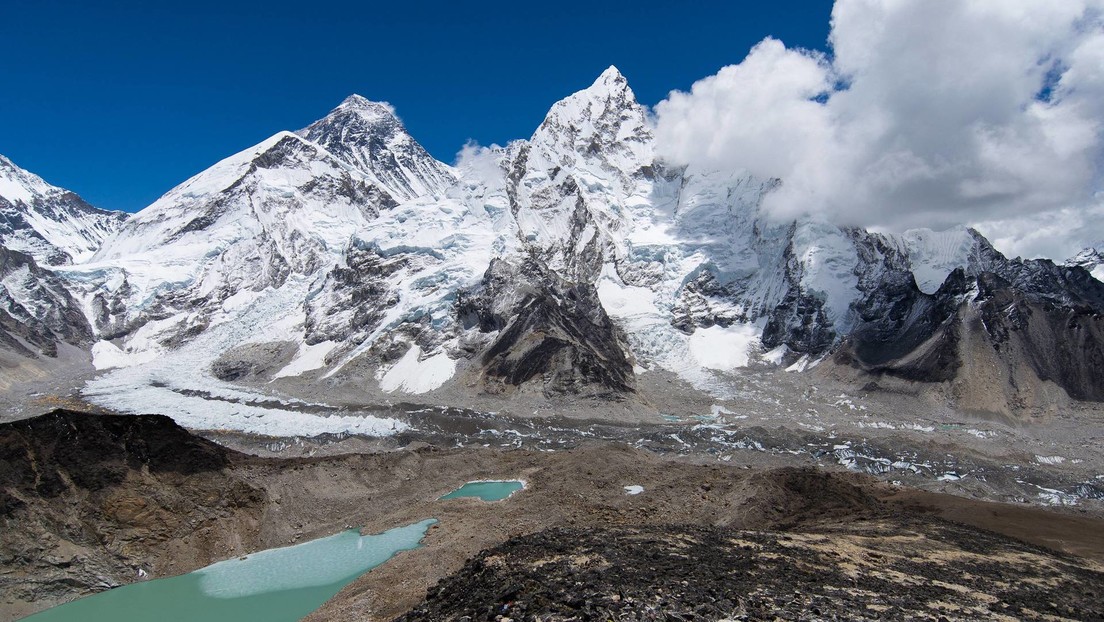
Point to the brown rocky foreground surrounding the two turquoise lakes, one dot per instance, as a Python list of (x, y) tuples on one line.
[(89, 502)]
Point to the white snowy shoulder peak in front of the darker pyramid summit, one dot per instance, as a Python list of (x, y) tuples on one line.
[(252, 222)]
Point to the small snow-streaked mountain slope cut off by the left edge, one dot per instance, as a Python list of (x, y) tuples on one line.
[(54, 226)]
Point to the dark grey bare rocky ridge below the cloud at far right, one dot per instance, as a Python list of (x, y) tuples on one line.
[(1029, 322)]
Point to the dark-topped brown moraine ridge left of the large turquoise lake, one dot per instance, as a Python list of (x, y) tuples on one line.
[(89, 500)]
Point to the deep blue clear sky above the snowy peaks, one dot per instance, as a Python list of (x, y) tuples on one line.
[(122, 101)]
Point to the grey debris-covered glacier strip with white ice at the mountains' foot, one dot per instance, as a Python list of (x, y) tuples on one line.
[(760, 417)]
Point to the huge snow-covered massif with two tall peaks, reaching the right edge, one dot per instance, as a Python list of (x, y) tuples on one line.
[(571, 262)]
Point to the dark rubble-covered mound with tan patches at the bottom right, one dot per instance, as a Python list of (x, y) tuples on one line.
[(920, 568)]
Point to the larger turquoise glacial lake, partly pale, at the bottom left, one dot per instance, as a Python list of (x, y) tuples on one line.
[(271, 586)]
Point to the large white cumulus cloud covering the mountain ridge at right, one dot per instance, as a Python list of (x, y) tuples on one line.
[(928, 113)]
